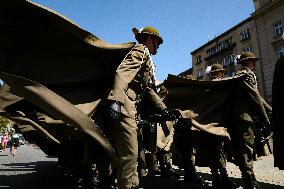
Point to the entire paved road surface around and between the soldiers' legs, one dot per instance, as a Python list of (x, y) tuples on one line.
[(32, 169)]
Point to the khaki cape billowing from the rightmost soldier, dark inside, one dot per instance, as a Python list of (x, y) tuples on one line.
[(208, 104)]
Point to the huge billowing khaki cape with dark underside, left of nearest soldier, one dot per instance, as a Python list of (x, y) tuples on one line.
[(52, 66)]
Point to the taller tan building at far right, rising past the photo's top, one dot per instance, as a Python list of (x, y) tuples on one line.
[(269, 20)]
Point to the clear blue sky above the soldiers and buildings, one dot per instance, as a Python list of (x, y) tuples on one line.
[(184, 25)]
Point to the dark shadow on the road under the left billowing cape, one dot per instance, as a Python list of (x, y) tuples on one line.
[(34, 175)]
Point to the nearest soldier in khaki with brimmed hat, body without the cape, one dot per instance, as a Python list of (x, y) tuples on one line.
[(134, 78)]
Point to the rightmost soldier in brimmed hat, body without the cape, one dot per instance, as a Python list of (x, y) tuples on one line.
[(242, 124)]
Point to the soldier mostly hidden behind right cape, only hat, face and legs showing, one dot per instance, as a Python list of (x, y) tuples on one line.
[(217, 149)]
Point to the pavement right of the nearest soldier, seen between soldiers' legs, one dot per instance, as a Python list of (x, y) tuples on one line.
[(268, 176)]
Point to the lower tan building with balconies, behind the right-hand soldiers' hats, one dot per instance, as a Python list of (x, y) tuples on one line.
[(224, 48)]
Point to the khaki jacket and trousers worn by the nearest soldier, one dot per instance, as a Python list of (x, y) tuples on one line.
[(134, 77)]
